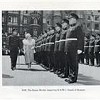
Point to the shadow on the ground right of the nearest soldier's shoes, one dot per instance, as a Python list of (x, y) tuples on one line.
[(87, 80)]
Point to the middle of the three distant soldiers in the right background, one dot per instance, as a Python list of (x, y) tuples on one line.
[(91, 50)]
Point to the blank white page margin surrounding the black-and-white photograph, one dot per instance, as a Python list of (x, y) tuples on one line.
[(15, 92)]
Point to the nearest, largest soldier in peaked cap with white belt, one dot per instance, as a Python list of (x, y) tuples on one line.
[(73, 46)]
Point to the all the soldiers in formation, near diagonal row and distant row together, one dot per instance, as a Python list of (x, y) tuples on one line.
[(60, 48)]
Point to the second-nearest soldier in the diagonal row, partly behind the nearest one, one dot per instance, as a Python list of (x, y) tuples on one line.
[(65, 26)]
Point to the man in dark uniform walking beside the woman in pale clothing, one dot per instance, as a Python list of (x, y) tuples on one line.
[(14, 46)]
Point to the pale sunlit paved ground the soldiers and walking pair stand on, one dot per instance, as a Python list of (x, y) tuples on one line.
[(38, 76)]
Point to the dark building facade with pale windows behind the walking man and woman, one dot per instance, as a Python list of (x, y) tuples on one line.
[(23, 21)]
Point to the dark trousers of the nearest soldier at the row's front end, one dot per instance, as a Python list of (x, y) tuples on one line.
[(72, 64)]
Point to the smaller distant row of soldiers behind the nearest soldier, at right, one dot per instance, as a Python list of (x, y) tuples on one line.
[(92, 50)]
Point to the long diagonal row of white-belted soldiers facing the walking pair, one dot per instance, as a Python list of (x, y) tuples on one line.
[(57, 48)]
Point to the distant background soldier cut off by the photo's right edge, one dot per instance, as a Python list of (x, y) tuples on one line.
[(97, 50)]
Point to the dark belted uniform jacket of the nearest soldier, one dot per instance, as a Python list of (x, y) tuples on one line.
[(74, 45)]
